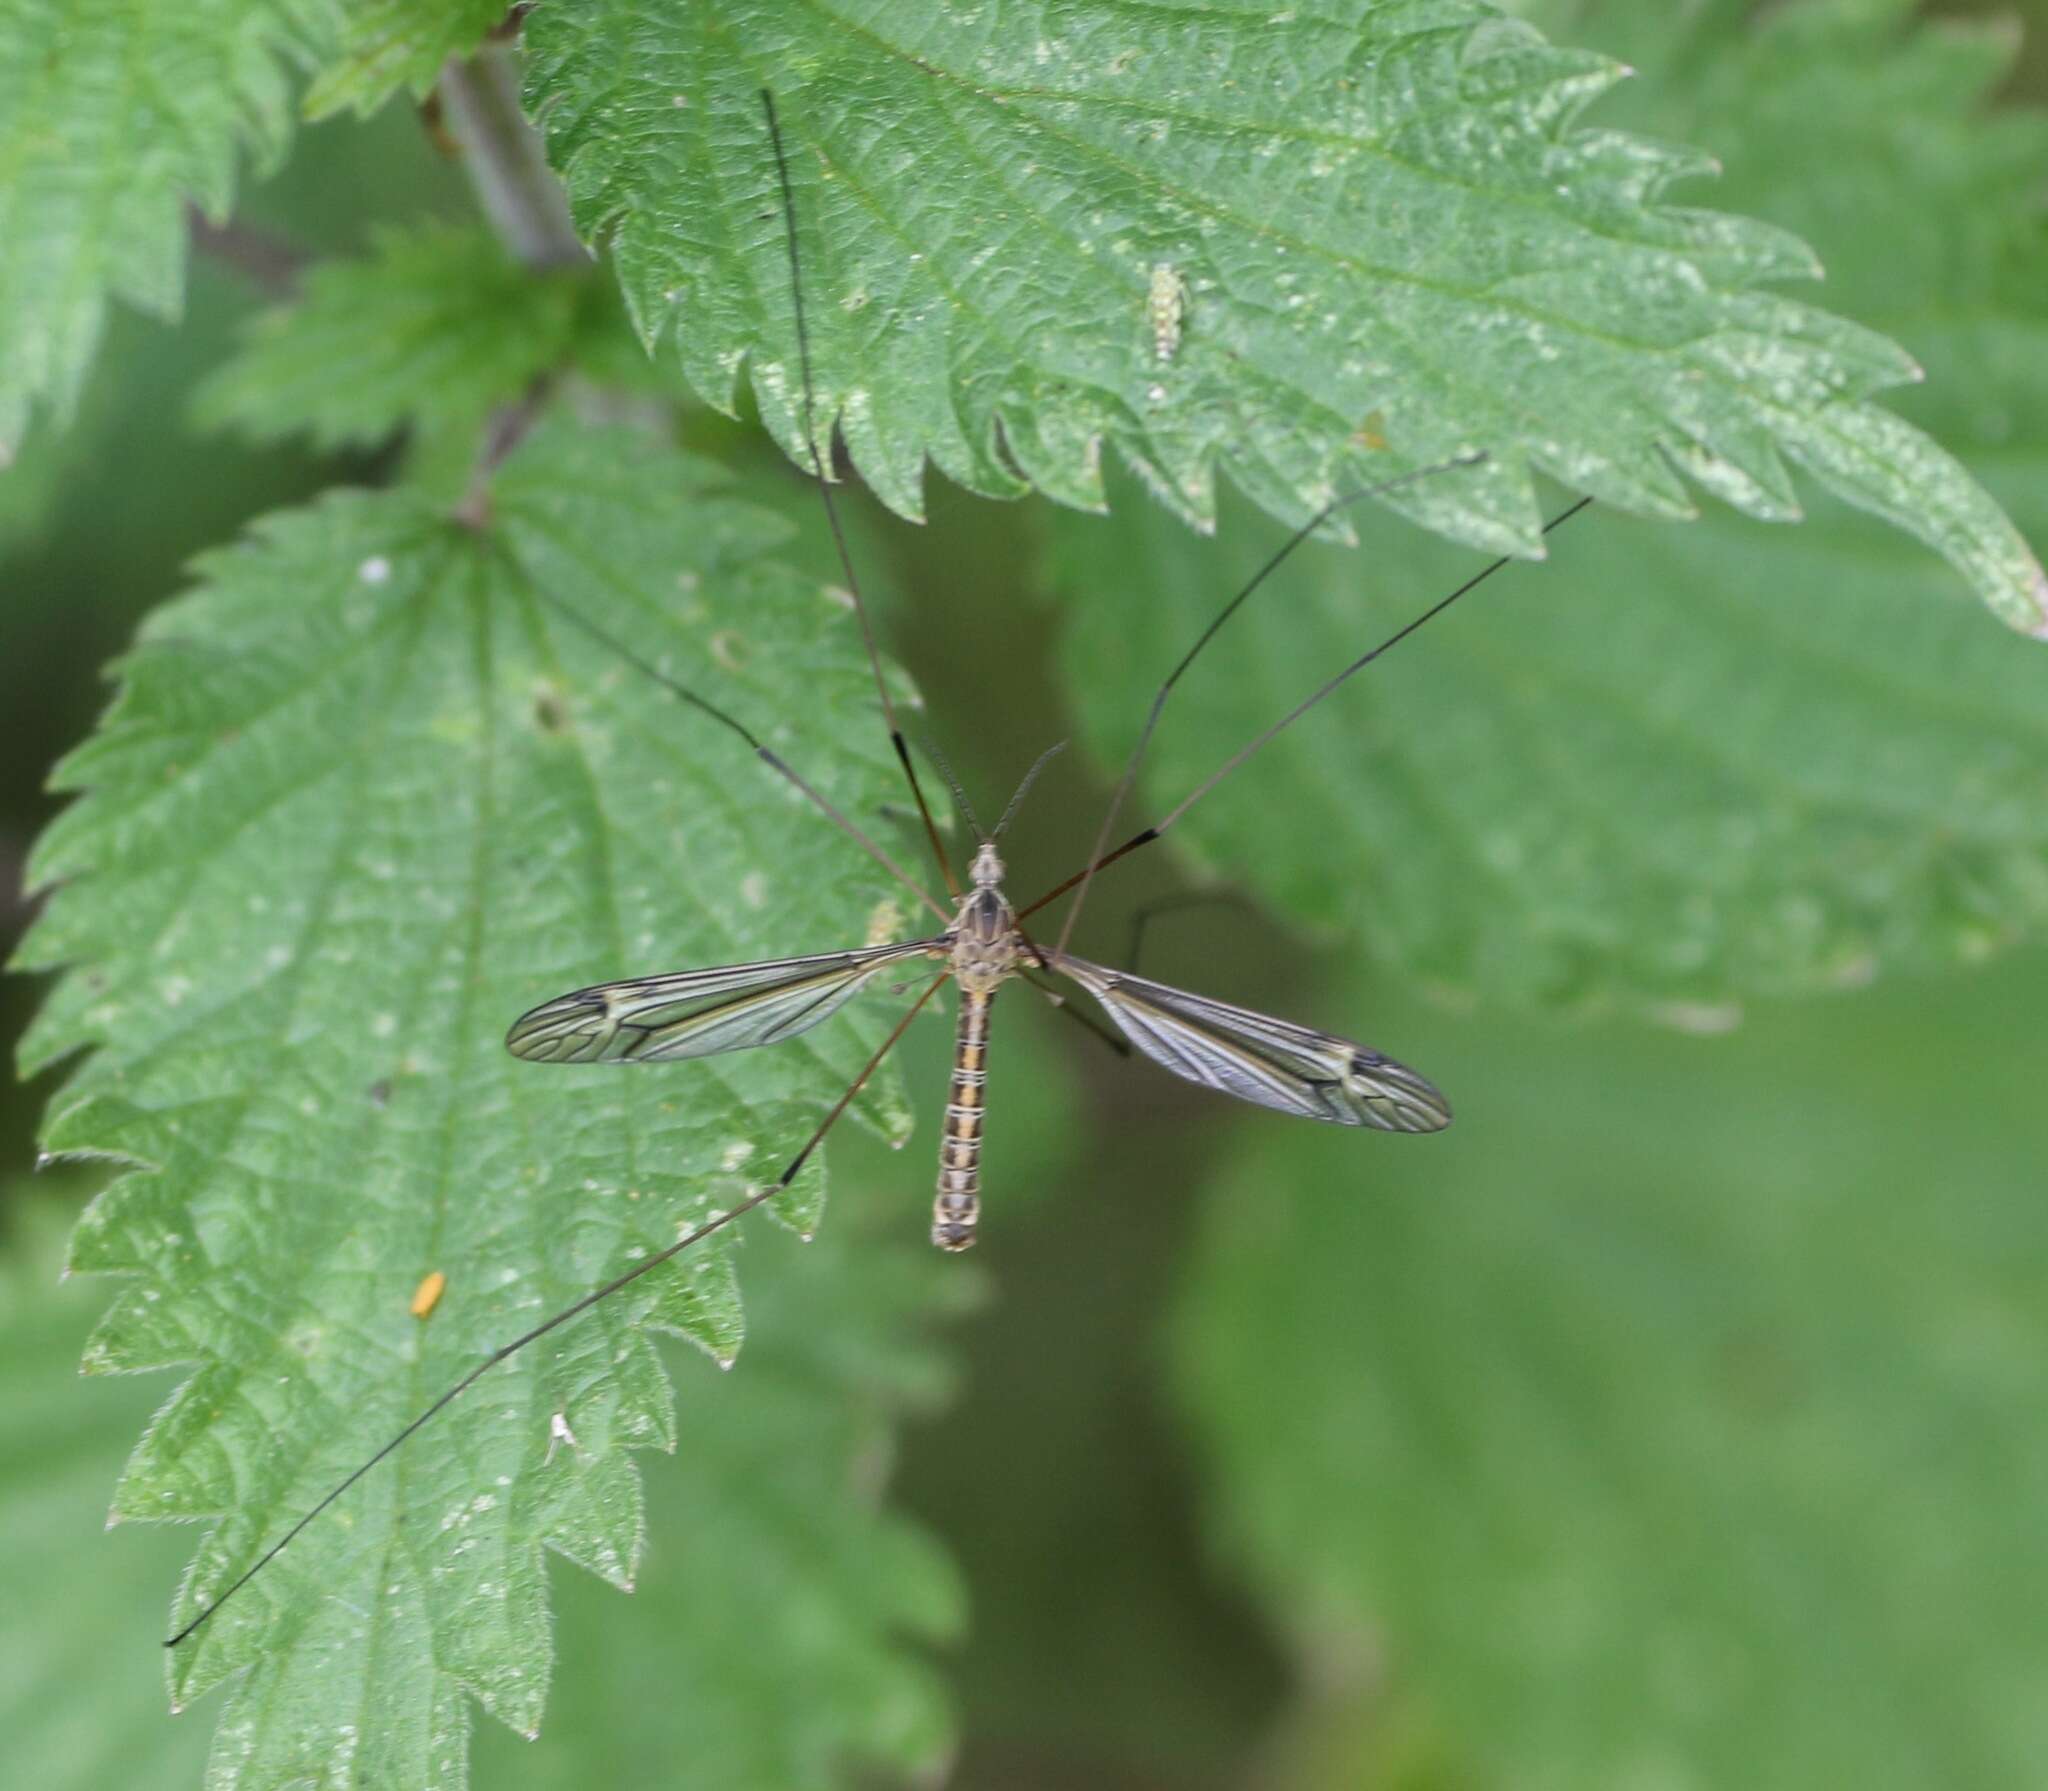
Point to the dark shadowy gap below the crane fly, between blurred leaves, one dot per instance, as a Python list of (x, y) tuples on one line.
[(1134, 1663)]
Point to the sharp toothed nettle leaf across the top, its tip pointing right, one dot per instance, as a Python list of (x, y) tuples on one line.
[(1385, 236)]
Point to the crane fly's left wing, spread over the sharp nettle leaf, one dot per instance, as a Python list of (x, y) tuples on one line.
[(701, 1012)]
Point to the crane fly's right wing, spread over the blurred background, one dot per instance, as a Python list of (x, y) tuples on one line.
[(1254, 1057)]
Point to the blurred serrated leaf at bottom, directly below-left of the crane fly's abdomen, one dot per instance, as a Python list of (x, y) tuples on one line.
[(765, 1649)]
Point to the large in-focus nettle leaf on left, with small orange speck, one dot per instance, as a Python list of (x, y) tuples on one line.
[(364, 799)]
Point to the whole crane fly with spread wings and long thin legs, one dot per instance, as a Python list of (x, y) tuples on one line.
[(982, 943)]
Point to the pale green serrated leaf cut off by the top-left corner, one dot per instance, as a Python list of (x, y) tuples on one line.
[(114, 116)]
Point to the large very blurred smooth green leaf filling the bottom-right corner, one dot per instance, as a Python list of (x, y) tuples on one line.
[(1672, 1419)]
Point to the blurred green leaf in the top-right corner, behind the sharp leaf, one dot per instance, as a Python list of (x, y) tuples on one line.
[(1928, 204)]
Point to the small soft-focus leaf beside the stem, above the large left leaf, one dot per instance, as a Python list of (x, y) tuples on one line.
[(435, 324)]
